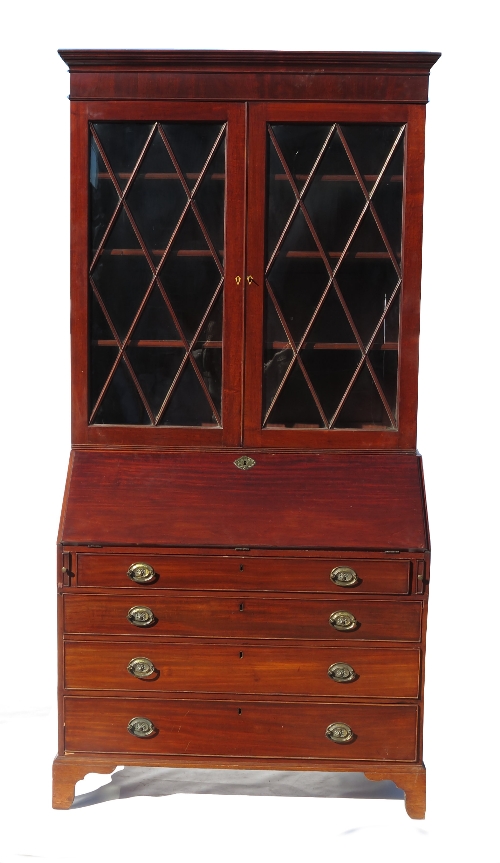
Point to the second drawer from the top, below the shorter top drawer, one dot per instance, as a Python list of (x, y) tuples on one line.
[(244, 616)]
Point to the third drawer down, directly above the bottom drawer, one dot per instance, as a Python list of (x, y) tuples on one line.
[(286, 670)]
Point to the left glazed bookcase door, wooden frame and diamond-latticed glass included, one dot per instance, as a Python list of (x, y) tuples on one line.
[(158, 245)]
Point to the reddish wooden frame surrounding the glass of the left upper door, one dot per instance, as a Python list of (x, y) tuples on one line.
[(83, 433)]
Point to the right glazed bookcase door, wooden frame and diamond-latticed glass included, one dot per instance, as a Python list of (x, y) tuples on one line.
[(331, 336)]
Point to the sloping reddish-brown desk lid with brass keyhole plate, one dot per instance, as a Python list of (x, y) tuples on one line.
[(285, 500)]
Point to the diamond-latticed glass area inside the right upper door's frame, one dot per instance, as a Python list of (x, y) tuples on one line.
[(330, 269)]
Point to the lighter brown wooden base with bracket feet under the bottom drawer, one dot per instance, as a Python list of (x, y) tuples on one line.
[(67, 770)]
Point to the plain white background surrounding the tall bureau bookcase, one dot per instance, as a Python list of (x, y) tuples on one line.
[(458, 420)]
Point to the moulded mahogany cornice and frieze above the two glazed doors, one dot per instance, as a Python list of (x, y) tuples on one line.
[(341, 76)]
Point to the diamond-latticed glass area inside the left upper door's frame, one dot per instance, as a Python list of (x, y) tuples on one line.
[(176, 303)]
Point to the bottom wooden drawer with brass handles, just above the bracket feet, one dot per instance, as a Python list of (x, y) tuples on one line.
[(231, 728)]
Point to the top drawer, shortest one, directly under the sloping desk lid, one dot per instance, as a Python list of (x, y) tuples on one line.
[(244, 573)]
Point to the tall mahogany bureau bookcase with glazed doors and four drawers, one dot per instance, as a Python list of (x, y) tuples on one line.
[(243, 555)]
